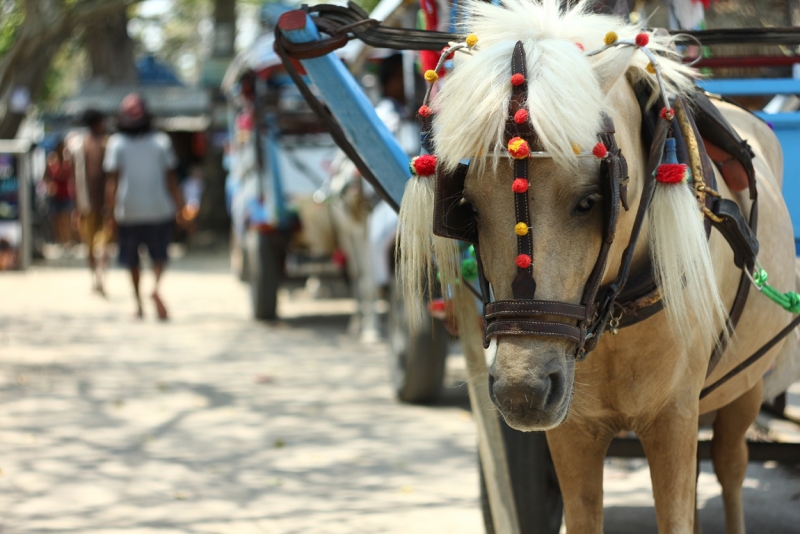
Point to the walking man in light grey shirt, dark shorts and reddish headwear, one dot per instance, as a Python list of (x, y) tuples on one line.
[(142, 194)]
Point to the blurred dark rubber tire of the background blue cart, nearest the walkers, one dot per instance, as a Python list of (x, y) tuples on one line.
[(264, 272)]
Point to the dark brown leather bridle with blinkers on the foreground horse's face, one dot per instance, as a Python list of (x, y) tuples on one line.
[(582, 323)]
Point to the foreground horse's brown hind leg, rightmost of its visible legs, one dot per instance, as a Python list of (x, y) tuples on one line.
[(729, 453)]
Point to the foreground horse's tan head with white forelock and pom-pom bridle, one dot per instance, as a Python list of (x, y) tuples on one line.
[(551, 247)]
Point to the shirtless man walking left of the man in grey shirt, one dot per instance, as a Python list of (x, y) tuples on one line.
[(88, 151)]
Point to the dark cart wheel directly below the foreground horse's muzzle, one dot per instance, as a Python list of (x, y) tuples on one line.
[(533, 477)]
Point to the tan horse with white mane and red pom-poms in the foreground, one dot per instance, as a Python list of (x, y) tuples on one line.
[(646, 377)]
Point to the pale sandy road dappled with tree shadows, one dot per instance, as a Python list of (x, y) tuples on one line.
[(213, 423)]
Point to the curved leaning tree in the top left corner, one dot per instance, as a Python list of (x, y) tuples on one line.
[(33, 37)]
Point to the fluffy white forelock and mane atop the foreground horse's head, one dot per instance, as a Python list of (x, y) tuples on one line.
[(565, 99)]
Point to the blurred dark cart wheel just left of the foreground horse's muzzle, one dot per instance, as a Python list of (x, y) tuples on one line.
[(416, 358)]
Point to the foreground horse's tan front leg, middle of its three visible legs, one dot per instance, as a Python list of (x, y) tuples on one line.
[(670, 444)]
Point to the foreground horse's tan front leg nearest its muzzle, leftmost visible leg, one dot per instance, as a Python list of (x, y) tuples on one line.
[(578, 455)]
